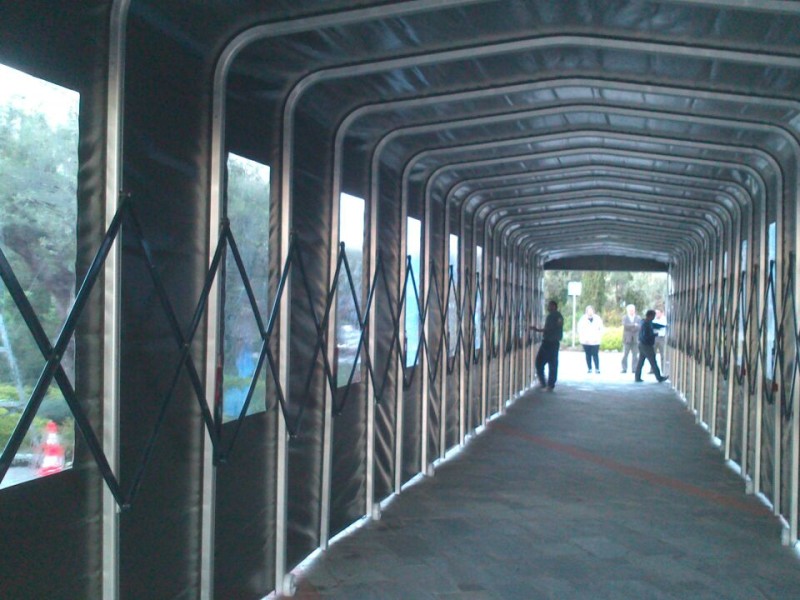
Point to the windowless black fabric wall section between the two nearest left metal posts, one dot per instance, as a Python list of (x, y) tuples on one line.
[(165, 170)]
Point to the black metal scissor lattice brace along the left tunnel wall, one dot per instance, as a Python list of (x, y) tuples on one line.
[(433, 304)]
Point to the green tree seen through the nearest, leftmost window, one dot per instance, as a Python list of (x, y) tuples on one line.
[(38, 217)]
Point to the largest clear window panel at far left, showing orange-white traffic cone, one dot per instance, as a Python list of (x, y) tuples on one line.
[(38, 216)]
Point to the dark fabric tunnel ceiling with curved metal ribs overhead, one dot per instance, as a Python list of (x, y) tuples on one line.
[(581, 130)]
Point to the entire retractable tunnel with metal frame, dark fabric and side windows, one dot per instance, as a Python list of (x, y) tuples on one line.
[(306, 246)]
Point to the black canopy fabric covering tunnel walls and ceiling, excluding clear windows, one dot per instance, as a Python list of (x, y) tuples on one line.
[(570, 135)]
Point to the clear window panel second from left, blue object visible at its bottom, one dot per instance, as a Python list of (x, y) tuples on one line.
[(248, 198)]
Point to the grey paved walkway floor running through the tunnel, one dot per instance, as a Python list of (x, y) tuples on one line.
[(601, 489)]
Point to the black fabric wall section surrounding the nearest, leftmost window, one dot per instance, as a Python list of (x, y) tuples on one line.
[(50, 529)]
